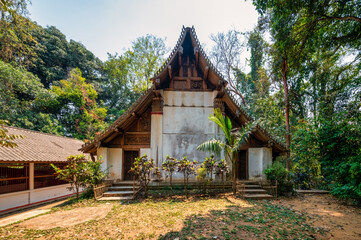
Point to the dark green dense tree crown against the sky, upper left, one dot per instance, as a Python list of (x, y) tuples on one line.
[(56, 57)]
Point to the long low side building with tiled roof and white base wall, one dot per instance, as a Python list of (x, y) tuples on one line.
[(26, 176)]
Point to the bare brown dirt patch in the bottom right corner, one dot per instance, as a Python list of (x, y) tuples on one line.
[(342, 221)]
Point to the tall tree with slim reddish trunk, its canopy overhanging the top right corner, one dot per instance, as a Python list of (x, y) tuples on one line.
[(303, 31)]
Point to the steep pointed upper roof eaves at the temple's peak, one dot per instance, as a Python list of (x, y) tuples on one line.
[(213, 75)]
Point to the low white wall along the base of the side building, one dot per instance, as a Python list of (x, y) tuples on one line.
[(23, 198)]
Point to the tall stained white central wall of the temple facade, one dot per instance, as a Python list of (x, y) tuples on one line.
[(186, 123)]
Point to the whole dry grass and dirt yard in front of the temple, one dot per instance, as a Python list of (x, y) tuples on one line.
[(222, 217)]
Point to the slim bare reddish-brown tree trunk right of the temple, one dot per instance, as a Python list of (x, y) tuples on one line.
[(287, 111)]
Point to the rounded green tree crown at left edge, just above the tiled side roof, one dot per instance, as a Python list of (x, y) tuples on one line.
[(25, 102)]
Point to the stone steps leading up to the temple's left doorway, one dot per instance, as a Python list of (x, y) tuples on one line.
[(122, 190)]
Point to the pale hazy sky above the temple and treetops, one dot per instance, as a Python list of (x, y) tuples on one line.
[(110, 26)]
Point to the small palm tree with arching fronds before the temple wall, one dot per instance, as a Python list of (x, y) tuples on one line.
[(231, 142)]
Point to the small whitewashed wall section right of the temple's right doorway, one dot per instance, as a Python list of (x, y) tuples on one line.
[(258, 160)]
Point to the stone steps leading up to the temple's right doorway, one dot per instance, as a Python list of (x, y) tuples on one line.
[(253, 190)]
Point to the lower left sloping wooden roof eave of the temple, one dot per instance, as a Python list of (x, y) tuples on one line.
[(134, 111)]
